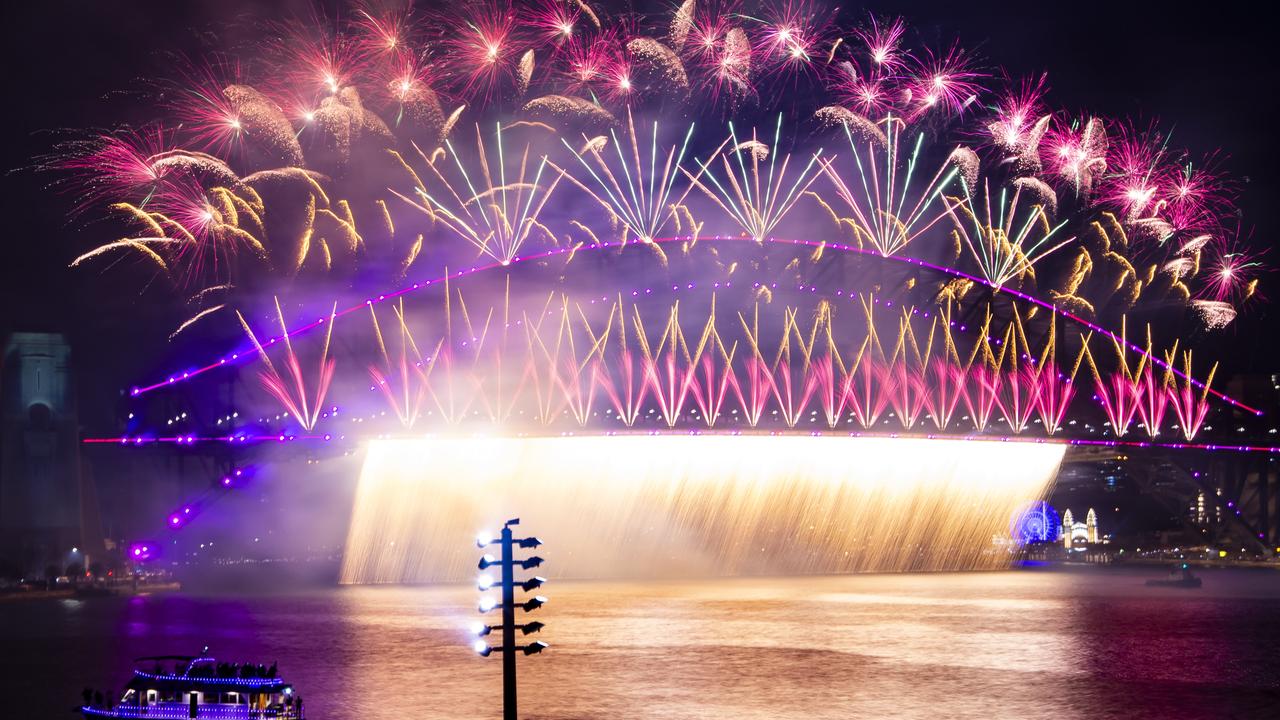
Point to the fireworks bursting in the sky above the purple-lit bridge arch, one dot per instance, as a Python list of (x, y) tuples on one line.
[(354, 148)]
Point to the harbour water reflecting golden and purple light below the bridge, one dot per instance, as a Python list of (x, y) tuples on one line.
[(988, 645)]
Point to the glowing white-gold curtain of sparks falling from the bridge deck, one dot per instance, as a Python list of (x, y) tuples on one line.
[(693, 505)]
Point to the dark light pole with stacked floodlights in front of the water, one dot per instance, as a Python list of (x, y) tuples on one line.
[(509, 584)]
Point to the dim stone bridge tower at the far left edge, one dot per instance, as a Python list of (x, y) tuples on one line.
[(43, 509)]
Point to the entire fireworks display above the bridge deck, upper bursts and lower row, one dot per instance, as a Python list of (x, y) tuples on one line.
[(962, 249)]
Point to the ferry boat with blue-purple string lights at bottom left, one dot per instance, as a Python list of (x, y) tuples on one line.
[(173, 687)]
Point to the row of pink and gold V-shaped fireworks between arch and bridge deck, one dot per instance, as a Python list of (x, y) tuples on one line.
[(559, 363)]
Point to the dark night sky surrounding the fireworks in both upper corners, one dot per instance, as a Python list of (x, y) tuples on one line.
[(1208, 74)]
